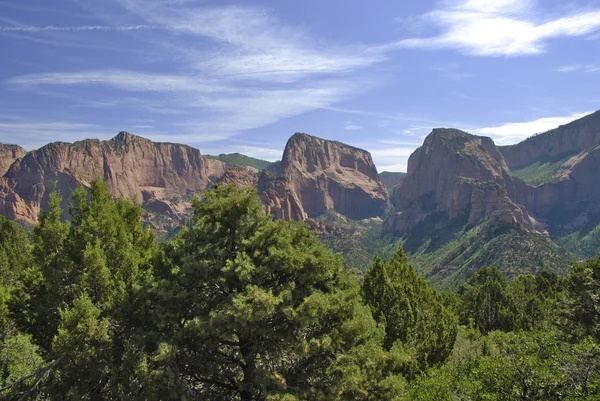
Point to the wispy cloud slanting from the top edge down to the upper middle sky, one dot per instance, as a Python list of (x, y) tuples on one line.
[(253, 43)]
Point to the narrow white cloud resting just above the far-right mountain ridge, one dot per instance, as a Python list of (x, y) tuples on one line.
[(511, 133)]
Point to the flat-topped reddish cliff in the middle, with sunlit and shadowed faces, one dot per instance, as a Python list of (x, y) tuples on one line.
[(316, 175)]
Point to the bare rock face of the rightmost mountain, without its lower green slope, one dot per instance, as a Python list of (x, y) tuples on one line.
[(572, 191)]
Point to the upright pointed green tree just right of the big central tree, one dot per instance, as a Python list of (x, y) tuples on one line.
[(411, 311)]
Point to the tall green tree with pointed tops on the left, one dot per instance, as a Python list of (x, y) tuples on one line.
[(85, 294)]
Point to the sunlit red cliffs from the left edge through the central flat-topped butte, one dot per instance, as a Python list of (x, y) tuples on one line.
[(314, 176)]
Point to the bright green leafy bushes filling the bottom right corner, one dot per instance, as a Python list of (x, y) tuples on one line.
[(516, 366)]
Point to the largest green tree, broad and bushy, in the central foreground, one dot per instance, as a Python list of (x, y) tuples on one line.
[(256, 309)]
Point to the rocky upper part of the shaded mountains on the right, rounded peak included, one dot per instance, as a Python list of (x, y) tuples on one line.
[(546, 184)]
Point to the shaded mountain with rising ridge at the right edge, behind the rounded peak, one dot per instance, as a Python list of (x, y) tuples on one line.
[(561, 168)]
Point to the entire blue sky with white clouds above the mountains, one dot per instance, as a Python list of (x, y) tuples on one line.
[(244, 76)]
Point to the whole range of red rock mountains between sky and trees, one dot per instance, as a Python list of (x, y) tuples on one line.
[(460, 206)]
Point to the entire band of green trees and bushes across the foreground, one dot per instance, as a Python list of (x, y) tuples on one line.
[(240, 307)]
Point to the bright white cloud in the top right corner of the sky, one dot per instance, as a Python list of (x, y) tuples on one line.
[(499, 27)]
